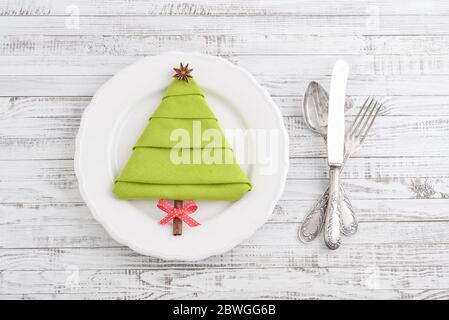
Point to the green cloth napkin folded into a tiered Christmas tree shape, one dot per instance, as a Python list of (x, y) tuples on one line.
[(164, 164)]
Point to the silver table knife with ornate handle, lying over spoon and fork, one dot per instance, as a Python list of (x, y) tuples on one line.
[(335, 151)]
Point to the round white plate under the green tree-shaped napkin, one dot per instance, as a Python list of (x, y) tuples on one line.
[(117, 116)]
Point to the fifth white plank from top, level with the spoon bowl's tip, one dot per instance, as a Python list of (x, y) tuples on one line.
[(278, 85)]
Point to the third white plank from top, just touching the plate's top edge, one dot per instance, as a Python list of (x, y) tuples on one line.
[(221, 44)]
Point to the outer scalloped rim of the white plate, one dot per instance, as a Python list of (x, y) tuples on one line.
[(250, 230)]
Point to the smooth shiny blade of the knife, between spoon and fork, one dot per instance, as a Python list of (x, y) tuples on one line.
[(336, 115)]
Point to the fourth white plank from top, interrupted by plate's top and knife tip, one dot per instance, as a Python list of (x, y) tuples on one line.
[(102, 65)]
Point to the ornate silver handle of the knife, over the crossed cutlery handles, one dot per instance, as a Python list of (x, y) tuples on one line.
[(332, 219)]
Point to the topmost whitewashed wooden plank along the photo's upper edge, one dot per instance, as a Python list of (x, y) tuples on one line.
[(221, 8)]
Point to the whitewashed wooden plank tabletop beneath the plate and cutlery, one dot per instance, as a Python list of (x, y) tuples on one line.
[(55, 54)]
